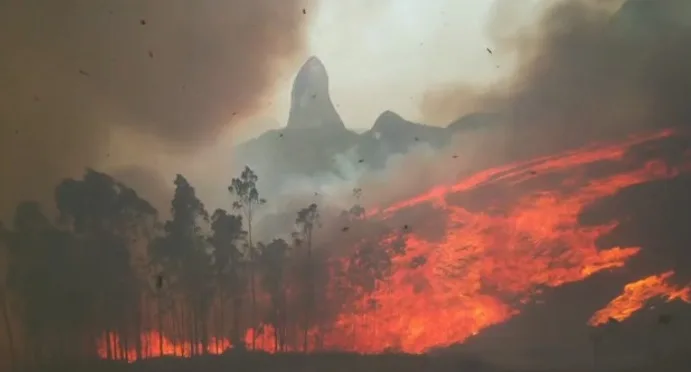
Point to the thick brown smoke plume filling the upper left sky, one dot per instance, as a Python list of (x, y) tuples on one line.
[(75, 72)]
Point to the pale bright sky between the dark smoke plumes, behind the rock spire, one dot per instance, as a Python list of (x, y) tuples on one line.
[(385, 57)]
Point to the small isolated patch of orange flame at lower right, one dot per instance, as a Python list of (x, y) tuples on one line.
[(635, 296)]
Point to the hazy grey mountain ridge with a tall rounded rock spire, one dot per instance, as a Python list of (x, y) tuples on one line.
[(315, 135)]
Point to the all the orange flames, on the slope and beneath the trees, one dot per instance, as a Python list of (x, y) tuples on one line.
[(493, 259)]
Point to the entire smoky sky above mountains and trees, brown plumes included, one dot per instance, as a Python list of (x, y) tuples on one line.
[(144, 92)]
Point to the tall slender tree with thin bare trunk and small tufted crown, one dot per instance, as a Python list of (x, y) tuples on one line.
[(247, 199)]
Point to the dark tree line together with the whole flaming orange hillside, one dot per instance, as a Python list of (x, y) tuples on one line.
[(108, 280)]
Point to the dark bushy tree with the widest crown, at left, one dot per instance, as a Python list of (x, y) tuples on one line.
[(108, 220)]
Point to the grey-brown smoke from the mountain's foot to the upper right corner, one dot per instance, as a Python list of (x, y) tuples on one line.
[(587, 71)]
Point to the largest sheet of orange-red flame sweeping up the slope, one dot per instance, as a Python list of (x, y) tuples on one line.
[(488, 263)]
